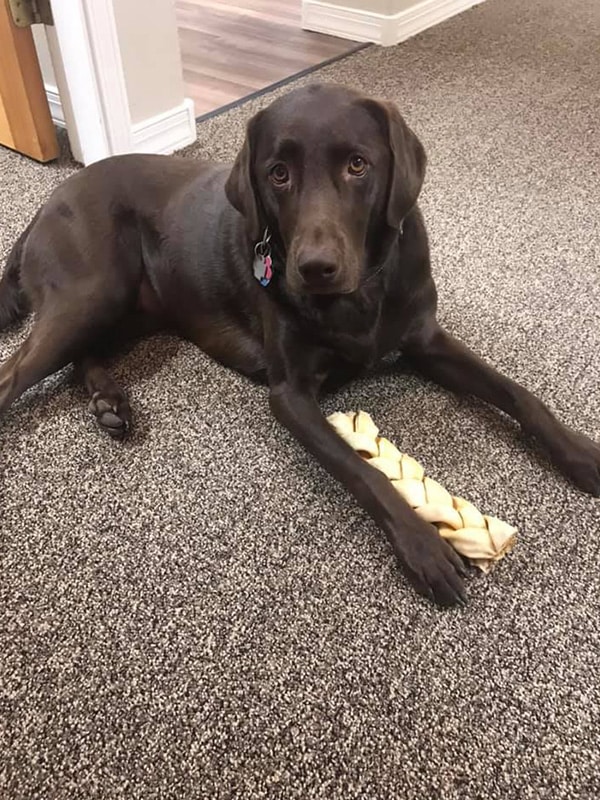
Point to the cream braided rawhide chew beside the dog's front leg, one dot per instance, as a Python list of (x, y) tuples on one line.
[(479, 538)]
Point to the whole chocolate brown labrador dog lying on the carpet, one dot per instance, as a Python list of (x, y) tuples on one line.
[(304, 263)]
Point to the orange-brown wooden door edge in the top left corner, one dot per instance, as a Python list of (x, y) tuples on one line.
[(25, 121)]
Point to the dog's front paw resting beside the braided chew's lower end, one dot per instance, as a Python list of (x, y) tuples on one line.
[(433, 567)]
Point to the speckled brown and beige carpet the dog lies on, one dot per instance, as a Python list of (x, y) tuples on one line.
[(203, 613)]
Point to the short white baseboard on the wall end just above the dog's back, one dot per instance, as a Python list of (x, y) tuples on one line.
[(165, 132)]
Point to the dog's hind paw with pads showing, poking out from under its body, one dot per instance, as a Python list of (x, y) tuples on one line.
[(108, 403)]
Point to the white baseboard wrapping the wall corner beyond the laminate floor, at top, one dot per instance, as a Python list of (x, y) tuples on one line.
[(383, 29)]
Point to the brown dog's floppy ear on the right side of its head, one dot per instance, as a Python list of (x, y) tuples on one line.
[(408, 161)]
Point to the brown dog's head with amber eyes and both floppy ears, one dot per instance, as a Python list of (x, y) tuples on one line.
[(332, 173)]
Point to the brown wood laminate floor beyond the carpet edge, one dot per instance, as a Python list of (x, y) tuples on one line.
[(232, 48)]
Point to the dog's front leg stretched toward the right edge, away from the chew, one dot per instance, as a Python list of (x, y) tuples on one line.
[(445, 360)]
